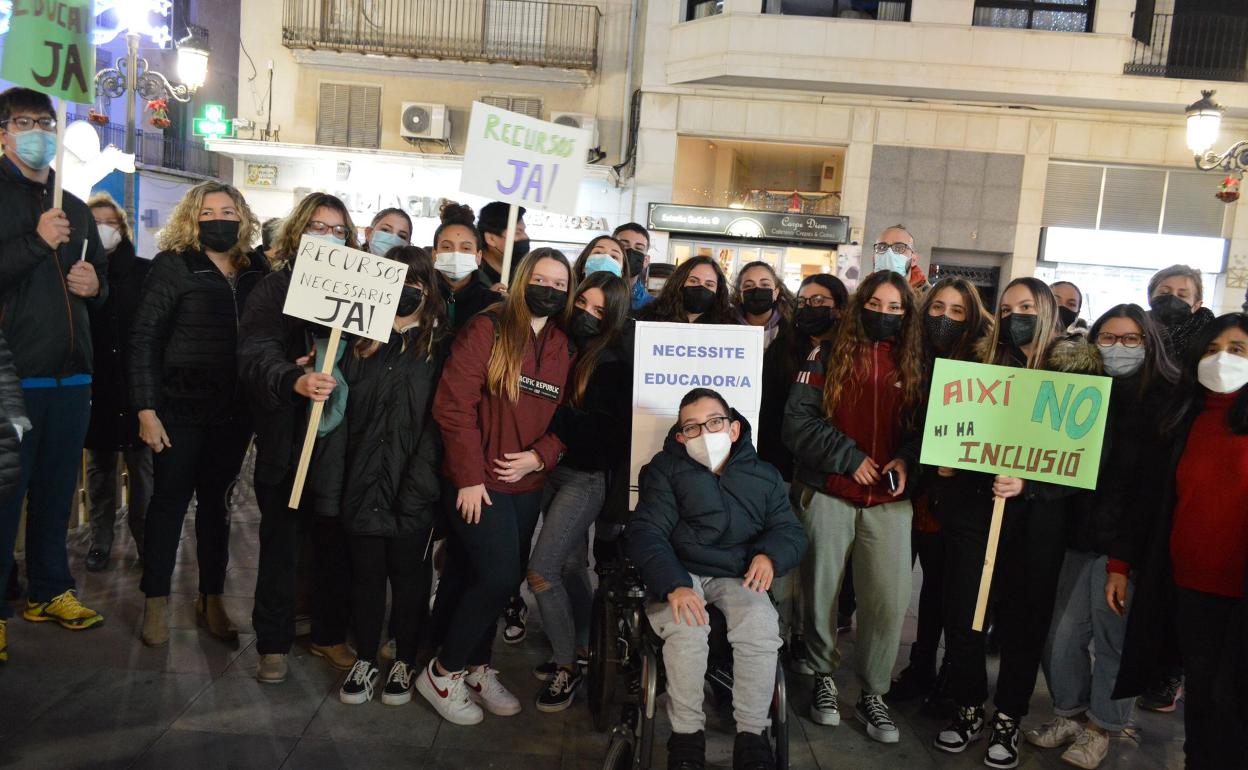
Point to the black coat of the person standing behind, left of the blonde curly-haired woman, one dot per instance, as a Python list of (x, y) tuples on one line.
[(114, 424)]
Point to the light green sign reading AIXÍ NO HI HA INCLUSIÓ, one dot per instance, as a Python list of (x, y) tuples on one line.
[(1026, 424)]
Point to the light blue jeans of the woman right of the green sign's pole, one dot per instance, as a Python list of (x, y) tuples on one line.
[(1081, 617)]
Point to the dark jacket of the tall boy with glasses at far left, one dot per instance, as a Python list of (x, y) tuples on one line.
[(48, 328)]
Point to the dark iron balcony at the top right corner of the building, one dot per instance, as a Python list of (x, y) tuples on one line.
[(1195, 47)]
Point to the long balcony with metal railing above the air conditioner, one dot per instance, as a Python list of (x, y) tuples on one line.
[(532, 33)]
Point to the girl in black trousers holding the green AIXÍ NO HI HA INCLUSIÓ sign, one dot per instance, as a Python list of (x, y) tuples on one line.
[(1033, 542)]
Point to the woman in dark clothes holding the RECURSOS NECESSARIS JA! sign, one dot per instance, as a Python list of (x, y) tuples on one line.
[(275, 351)]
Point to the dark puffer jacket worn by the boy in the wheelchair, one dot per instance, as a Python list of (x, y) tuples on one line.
[(691, 521)]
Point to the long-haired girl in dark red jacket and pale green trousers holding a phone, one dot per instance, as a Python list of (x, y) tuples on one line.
[(853, 422)]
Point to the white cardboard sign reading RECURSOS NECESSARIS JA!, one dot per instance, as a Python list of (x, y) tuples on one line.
[(345, 289)]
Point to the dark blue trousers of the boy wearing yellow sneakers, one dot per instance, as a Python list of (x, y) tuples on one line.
[(52, 455)]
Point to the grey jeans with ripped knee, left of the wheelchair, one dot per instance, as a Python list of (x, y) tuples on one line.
[(558, 571)]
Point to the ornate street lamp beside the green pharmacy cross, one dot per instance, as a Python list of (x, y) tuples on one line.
[(132, 77)]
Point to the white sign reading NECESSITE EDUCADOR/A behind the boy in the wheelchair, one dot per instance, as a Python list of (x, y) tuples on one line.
[(670, 360)]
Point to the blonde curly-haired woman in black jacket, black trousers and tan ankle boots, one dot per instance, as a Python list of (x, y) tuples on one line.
[(184, 389)]
